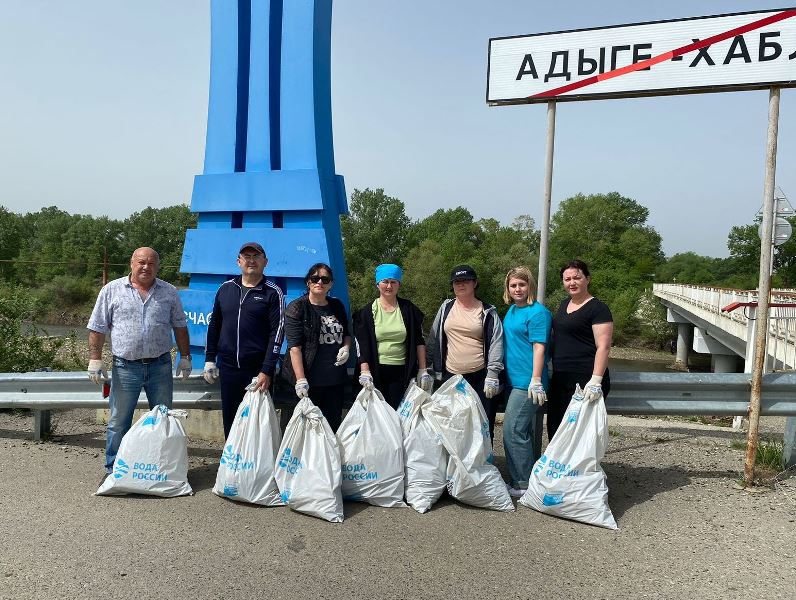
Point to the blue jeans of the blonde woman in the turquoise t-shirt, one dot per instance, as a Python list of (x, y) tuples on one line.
[(522, 436)]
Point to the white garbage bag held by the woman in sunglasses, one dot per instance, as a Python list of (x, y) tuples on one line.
[(307, 469)]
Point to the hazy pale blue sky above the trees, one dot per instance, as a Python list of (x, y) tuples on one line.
[(104, 108)]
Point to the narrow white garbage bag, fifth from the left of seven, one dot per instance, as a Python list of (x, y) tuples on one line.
[(425, 457)]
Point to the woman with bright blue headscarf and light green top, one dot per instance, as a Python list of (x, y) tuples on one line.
[(390, 340)]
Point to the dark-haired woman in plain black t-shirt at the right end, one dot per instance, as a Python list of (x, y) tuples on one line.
[(582, 331)]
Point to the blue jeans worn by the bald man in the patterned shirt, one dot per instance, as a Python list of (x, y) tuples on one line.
[(127, 379)]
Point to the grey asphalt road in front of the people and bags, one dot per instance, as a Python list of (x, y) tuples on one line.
[(685, 532)]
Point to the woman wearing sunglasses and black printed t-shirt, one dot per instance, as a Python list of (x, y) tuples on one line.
[(316, 327)]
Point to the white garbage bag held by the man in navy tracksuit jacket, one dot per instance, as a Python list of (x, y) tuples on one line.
[(246, 469)]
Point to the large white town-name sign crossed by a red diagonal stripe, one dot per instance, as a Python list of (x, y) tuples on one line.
[(742, 51)]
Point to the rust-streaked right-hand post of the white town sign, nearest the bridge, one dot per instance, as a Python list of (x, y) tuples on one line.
[(764, 286)]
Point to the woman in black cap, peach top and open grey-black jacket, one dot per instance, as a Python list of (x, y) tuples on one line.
[(466, 339)]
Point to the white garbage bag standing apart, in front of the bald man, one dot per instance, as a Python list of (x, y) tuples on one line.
[(152, 458)]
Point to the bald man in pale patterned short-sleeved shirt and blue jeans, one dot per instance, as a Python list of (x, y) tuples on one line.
[(139, 311)]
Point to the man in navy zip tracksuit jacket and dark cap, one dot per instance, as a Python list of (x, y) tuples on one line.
[(245, 333)]
